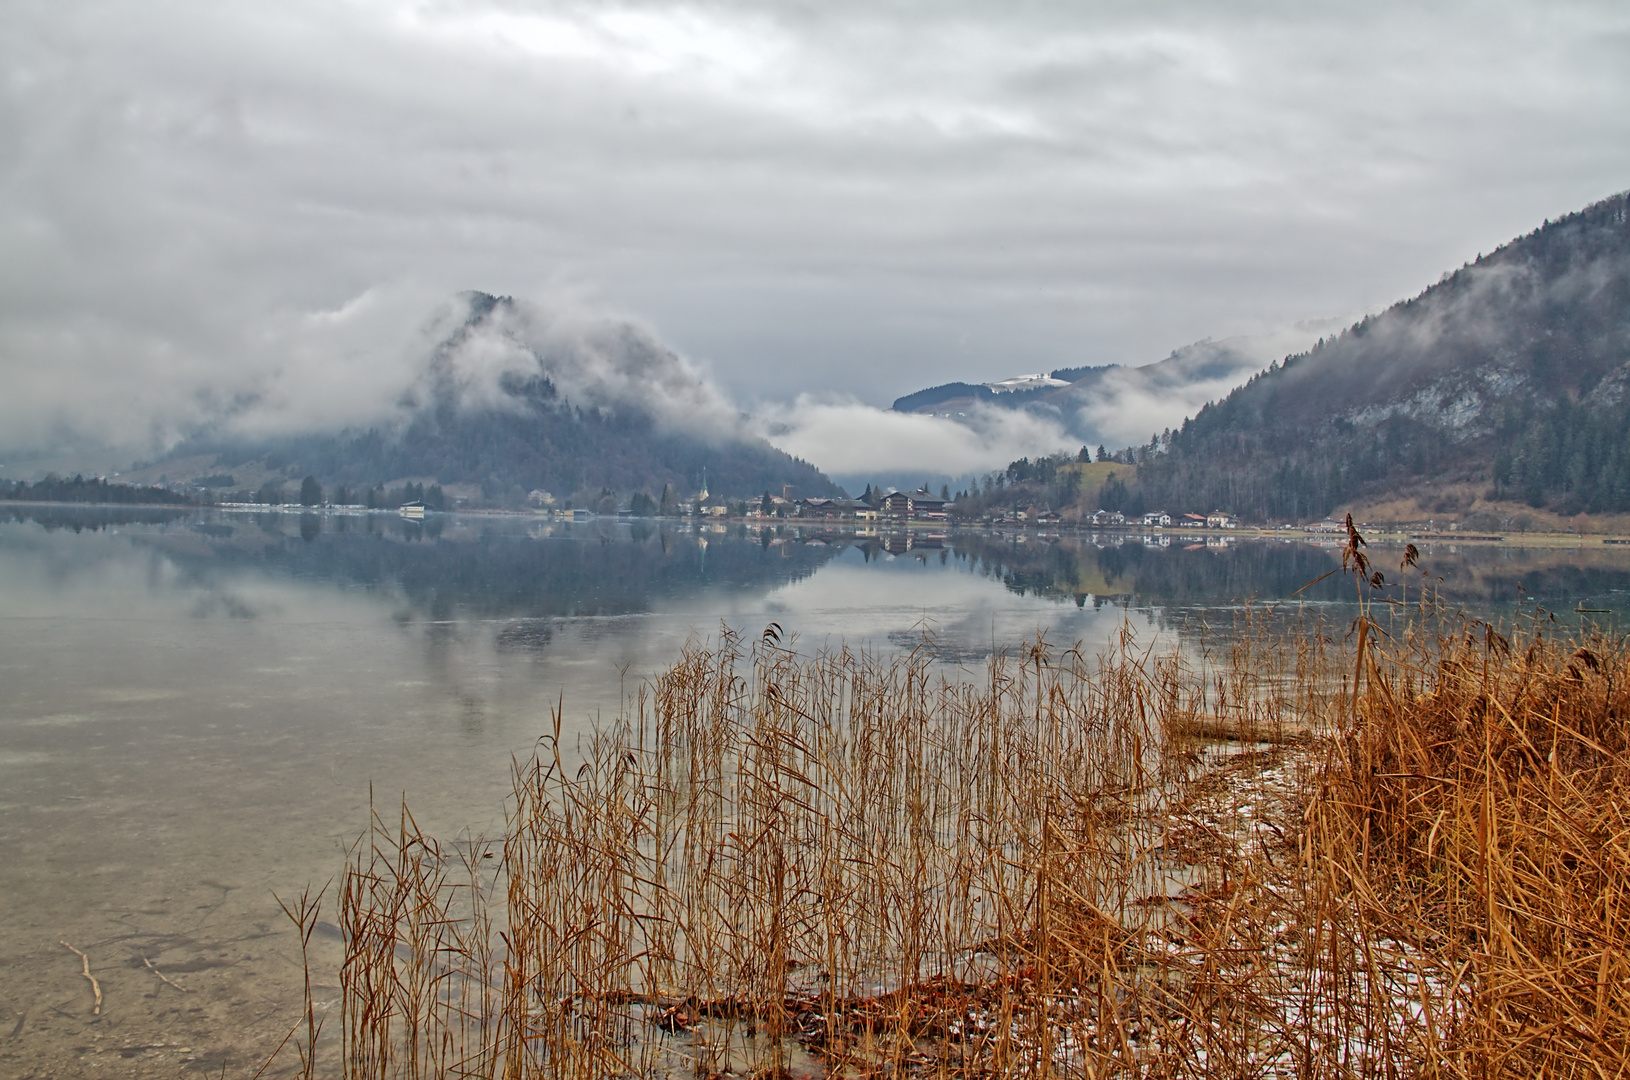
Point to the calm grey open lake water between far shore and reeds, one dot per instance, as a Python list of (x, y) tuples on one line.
[(196, 709)]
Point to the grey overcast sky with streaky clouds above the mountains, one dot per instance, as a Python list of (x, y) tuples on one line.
[(845, 201)]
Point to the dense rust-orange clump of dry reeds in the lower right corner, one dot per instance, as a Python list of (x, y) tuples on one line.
[(1474, 827)]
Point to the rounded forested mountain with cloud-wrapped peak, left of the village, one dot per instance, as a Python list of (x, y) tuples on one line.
[(513, 400)]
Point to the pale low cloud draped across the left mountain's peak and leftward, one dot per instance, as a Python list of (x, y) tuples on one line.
[(379, 358)]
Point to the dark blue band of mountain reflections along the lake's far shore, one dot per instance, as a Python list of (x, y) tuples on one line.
[(540, 569)]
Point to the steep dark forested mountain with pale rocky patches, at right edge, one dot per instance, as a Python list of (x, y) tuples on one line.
[(1505, 382)]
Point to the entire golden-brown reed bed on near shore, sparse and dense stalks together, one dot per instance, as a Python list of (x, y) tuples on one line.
[(777, 864)]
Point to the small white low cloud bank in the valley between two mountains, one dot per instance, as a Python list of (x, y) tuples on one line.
[(848, 439)]
